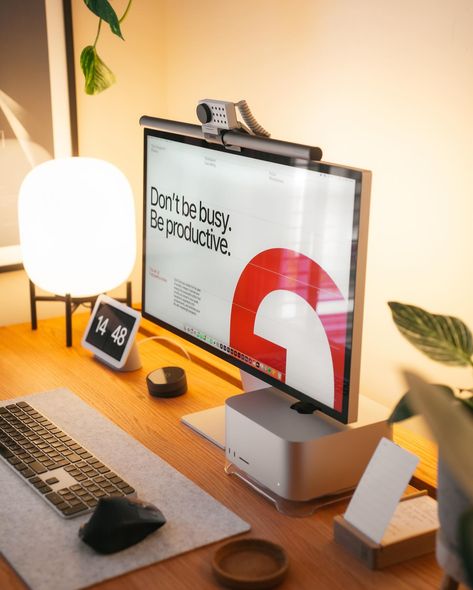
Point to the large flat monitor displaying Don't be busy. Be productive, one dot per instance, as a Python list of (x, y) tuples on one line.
[(260, 260)]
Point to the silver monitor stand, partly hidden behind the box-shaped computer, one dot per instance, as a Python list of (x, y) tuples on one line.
[(211, 423)]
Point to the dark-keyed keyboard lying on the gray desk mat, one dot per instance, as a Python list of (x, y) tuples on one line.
[(69, 478)]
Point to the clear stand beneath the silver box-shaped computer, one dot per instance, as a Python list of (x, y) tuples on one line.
[(287, 507)]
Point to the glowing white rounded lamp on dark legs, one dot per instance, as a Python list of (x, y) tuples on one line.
[(77, 231)]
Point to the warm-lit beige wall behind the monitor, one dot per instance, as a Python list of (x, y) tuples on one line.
[(381, 85)]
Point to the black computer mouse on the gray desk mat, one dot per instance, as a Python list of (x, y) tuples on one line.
[(118, 523)]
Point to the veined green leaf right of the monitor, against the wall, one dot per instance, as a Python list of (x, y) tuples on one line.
[(445, 339)]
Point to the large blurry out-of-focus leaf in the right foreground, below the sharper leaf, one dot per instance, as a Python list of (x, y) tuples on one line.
[(450, 423)]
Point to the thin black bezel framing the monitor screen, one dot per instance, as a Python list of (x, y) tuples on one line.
[(316, 166)]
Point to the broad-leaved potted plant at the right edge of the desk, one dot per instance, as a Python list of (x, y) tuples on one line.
[(449, 414)]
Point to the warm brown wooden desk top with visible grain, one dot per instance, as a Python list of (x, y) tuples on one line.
[(39, 361)]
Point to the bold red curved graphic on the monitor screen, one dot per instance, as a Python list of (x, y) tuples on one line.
[(276, 269)]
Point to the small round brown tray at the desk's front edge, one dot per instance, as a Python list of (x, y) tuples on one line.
[(250, 563)]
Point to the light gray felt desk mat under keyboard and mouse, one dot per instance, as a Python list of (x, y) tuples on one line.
[(45, 549)]
